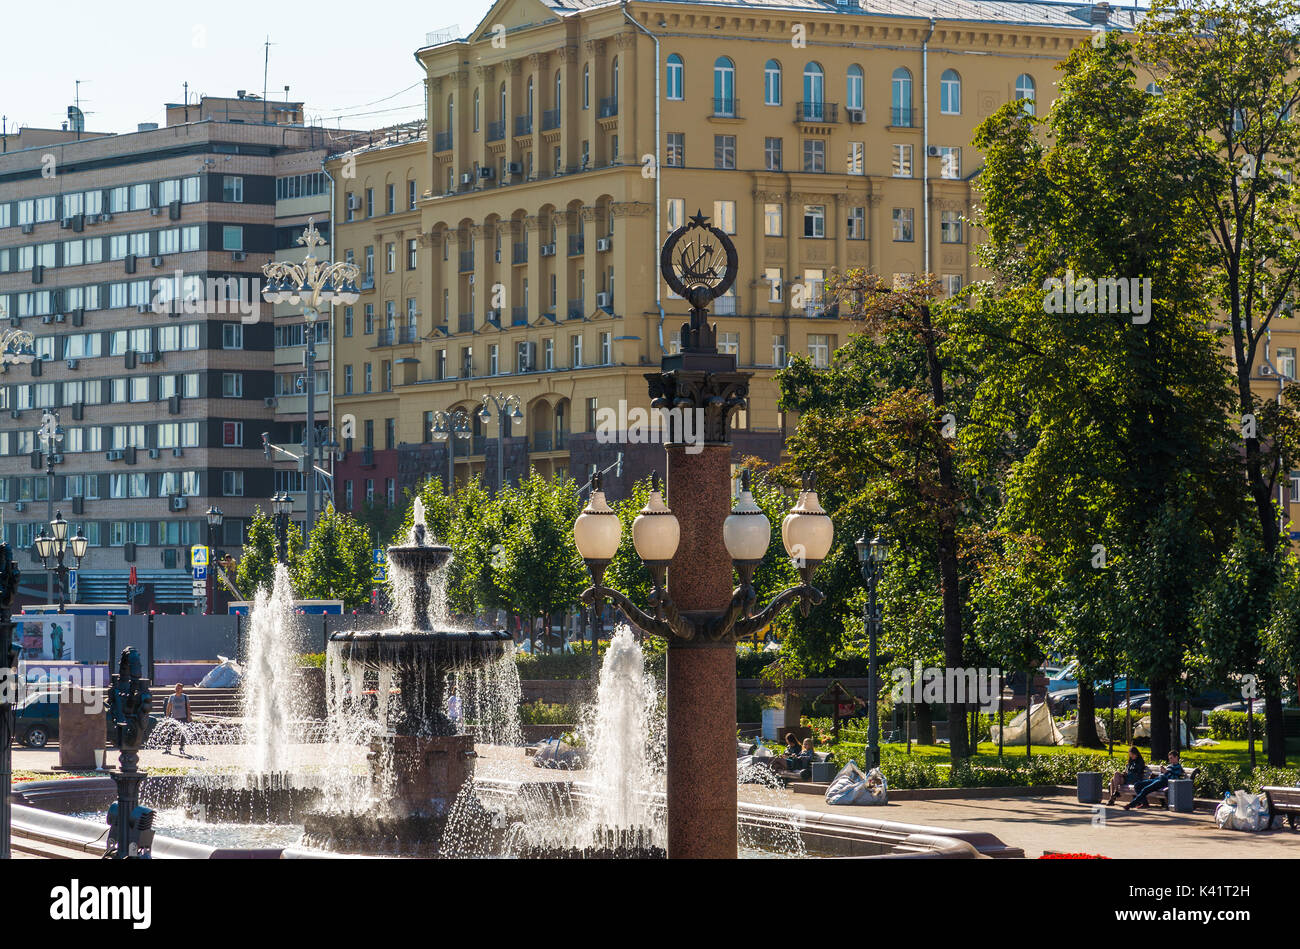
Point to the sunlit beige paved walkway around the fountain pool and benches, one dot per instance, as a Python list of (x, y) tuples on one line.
[(1033, 824)]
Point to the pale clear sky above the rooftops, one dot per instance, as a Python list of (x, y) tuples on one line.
[(352, 63)]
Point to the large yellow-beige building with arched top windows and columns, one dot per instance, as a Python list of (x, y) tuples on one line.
[(567, 140)]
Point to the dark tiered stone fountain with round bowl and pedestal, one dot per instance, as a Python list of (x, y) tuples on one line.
[(421, 757)]
